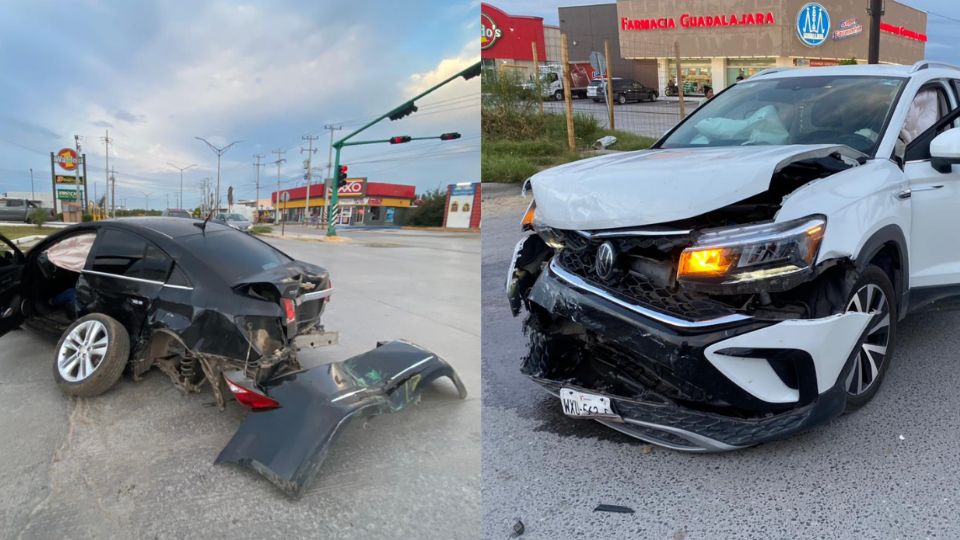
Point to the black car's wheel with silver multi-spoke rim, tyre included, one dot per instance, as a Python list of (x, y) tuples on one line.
[(91, 355)]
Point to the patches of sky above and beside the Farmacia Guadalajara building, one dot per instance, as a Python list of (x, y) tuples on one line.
[(943, 20)]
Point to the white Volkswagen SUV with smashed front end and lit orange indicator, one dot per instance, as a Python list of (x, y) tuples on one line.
[(744, 278)]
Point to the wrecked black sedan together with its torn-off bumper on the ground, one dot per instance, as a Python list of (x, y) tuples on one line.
[(207, 306)]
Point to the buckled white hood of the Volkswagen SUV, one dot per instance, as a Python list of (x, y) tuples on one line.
[(658, 186)]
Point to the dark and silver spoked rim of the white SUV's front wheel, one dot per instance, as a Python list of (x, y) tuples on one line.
[(873, 351)]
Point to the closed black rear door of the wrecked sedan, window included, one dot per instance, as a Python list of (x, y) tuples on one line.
[(123, 277)]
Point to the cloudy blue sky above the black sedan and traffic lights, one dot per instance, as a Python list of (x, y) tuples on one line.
[(157, 74)]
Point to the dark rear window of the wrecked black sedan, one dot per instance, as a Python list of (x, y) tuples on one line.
[(233, 254)]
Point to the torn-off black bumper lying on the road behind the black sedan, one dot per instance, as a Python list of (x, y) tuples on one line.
[(287, 445)]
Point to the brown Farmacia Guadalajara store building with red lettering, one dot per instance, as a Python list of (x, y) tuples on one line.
[(721, 40)]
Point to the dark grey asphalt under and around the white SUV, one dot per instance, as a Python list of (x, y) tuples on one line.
[(890, 470)]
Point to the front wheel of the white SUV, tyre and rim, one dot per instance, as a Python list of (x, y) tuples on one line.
[(873, 293)]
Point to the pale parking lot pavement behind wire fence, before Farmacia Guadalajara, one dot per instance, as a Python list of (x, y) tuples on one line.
[(650, 119)]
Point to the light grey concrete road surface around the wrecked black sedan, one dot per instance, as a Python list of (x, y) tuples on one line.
[(138, 461)]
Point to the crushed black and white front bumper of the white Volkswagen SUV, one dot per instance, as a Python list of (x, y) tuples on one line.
[(687, 385)]
